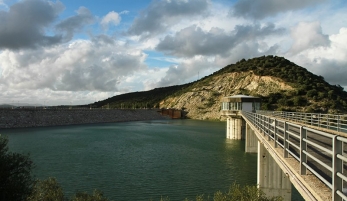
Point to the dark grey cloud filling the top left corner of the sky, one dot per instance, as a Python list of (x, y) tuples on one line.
[(25, 23)]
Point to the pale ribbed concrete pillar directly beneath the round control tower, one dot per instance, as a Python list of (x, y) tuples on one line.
[(236, 127)]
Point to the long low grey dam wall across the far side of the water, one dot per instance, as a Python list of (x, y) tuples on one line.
[(20, 118)]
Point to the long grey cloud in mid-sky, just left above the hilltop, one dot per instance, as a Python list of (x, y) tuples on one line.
[(193, 40)]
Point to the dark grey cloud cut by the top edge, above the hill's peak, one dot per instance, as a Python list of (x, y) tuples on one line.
[(264, 8)]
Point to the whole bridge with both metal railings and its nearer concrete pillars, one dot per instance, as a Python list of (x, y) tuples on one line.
[(309, 149)]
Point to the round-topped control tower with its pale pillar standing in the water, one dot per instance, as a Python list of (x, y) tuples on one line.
[(231, 108)]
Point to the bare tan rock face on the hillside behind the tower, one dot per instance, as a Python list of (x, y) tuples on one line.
[(203, 102)]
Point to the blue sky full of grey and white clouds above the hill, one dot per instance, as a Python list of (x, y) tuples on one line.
[(81, 51)]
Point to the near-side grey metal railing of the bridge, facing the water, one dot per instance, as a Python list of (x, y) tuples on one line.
[(319, 152)]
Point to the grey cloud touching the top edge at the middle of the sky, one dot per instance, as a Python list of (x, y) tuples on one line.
[(160, 15)]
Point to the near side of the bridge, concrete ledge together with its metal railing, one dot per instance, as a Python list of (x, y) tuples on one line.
[(316, 152)]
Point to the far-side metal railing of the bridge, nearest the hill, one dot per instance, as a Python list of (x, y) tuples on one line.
[(327, 121)]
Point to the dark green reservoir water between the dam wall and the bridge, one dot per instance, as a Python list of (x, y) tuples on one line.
[(138, 160)]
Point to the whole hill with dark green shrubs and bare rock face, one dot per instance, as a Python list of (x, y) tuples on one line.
[(281, 84)]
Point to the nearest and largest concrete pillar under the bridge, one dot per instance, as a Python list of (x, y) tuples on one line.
[(271, 179)]
